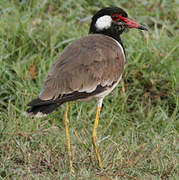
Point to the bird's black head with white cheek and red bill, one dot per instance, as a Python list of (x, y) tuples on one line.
[(112, 21)]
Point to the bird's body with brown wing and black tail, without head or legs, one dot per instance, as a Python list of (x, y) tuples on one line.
[(88, 68)]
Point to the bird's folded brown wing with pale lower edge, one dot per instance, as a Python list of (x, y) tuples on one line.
[(86, 63)]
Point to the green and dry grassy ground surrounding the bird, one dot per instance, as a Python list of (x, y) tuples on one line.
[(139, 123)]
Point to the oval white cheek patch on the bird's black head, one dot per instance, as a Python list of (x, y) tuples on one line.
[(103, 22)]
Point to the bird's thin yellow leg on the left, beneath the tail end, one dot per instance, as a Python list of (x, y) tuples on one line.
[(68, 137)]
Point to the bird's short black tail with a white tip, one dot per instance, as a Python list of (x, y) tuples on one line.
[(41, 108)]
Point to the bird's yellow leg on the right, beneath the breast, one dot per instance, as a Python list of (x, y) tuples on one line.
[(94, 137)]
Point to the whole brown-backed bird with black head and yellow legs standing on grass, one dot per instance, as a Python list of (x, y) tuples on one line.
[(88, 69)]
